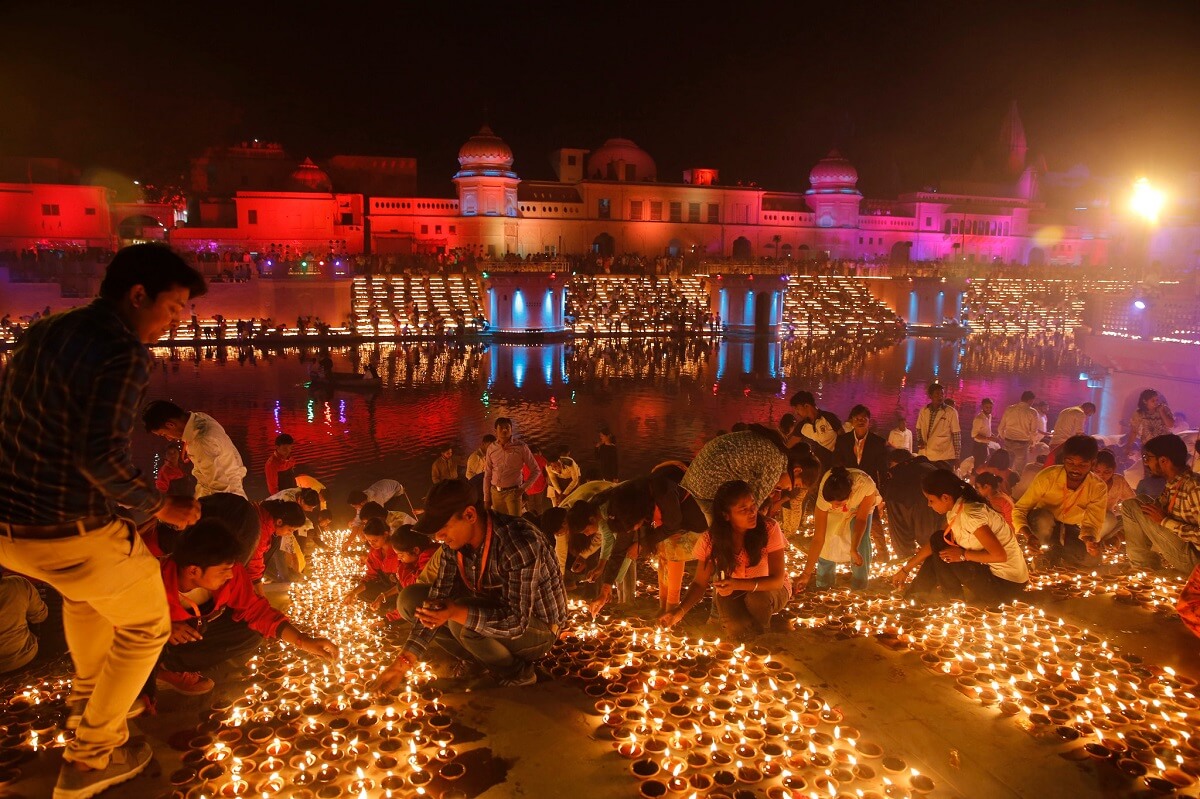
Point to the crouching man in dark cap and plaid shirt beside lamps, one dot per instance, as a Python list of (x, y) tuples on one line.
[(514, 604)]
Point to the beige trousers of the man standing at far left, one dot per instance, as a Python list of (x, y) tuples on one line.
[(116, 618)]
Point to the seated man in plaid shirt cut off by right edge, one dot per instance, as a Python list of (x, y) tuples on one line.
[(1171, 526)]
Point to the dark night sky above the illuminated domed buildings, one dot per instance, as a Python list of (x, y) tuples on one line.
[(910, 92)]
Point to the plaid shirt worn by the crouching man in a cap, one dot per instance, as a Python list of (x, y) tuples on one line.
[(521, 580)]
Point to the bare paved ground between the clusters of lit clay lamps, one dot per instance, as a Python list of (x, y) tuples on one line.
[(548, 741)]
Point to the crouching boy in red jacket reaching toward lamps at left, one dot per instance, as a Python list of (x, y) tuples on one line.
[(215, 614)]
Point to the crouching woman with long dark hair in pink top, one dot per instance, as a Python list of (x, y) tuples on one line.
[(742, 557)]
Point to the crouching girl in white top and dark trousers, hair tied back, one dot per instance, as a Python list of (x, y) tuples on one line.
[(977, 550)]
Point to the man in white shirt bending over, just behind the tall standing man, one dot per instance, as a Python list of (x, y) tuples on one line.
[(217, 464)]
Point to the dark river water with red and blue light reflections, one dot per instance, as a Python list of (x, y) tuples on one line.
[(662, 399)]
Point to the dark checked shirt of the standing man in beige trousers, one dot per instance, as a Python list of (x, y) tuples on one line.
[(69, 402)]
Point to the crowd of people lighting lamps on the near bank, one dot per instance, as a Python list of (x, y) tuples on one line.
[(164, 579)]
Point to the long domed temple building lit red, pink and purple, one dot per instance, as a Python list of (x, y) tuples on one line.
[(255, 197)]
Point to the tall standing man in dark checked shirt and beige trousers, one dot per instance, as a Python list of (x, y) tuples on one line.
[(68, 405)]
